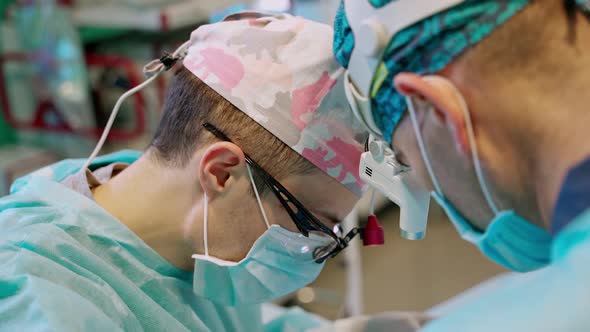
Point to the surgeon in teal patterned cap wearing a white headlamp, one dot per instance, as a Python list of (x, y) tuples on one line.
[(486, 103)]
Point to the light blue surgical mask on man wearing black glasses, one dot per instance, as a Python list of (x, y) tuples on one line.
[(279, 262)]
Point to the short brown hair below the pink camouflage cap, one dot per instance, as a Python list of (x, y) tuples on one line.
[(190, 103)]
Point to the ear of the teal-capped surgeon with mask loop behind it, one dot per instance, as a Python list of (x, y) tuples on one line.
[(447, 103)]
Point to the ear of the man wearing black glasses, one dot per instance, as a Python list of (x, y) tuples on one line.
[(221, 164)]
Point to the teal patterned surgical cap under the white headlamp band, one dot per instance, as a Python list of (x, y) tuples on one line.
[(423, 48)]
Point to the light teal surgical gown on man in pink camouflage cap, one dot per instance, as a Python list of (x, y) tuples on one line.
[(68, 265)]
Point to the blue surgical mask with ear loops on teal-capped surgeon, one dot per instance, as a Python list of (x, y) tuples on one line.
[(509, 240)]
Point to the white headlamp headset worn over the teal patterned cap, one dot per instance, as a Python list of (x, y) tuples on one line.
[(373, 28)]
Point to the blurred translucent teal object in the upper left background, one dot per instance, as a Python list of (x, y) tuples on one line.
[(51, 45)]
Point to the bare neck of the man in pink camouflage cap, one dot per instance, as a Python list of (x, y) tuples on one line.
[(153, 202)]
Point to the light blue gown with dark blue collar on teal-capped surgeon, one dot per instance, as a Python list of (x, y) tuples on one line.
[(554, 299)]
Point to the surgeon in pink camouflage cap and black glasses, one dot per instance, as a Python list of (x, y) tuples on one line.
[(236, 201)]
